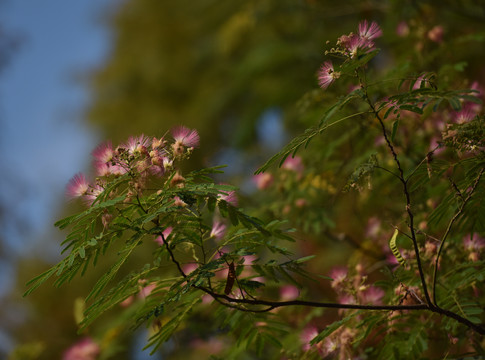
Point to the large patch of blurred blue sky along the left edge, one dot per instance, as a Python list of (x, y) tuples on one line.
[(43, 138)]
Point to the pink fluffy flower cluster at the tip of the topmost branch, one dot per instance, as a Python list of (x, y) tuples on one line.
[(349, 46)]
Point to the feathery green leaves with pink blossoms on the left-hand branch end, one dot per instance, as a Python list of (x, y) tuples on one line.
[(195, 229)]
